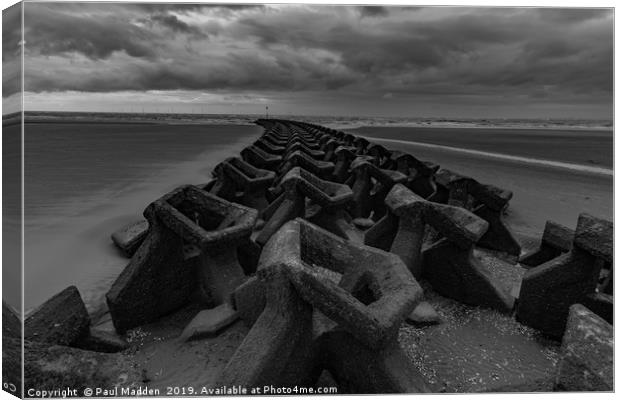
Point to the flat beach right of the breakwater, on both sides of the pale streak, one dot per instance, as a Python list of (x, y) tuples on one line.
[(541, 192)]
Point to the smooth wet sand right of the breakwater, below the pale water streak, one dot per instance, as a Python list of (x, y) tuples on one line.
[(541, 192)]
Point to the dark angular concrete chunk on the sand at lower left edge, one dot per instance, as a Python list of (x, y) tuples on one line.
[(61, 320)]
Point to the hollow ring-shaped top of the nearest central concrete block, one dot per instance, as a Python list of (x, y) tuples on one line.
[(375, 293)]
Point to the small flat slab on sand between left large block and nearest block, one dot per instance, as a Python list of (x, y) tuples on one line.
[(208, 323)]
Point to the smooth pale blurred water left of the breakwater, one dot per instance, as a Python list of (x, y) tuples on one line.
[(83, 181)]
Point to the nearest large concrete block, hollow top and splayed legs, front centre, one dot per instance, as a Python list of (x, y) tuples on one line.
[(361, 314)]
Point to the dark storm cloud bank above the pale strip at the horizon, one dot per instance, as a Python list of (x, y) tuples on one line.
[(542, 53)]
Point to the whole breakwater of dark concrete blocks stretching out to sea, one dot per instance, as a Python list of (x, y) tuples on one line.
[(317, 240)]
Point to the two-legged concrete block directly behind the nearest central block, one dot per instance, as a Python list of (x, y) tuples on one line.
[(297, 185)]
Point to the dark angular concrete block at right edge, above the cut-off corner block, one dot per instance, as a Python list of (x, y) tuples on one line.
[(548, 290)]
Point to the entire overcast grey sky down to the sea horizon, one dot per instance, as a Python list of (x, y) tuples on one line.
[(297, 59)]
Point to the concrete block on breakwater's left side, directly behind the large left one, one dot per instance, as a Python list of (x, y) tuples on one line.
[(237, 176)]
